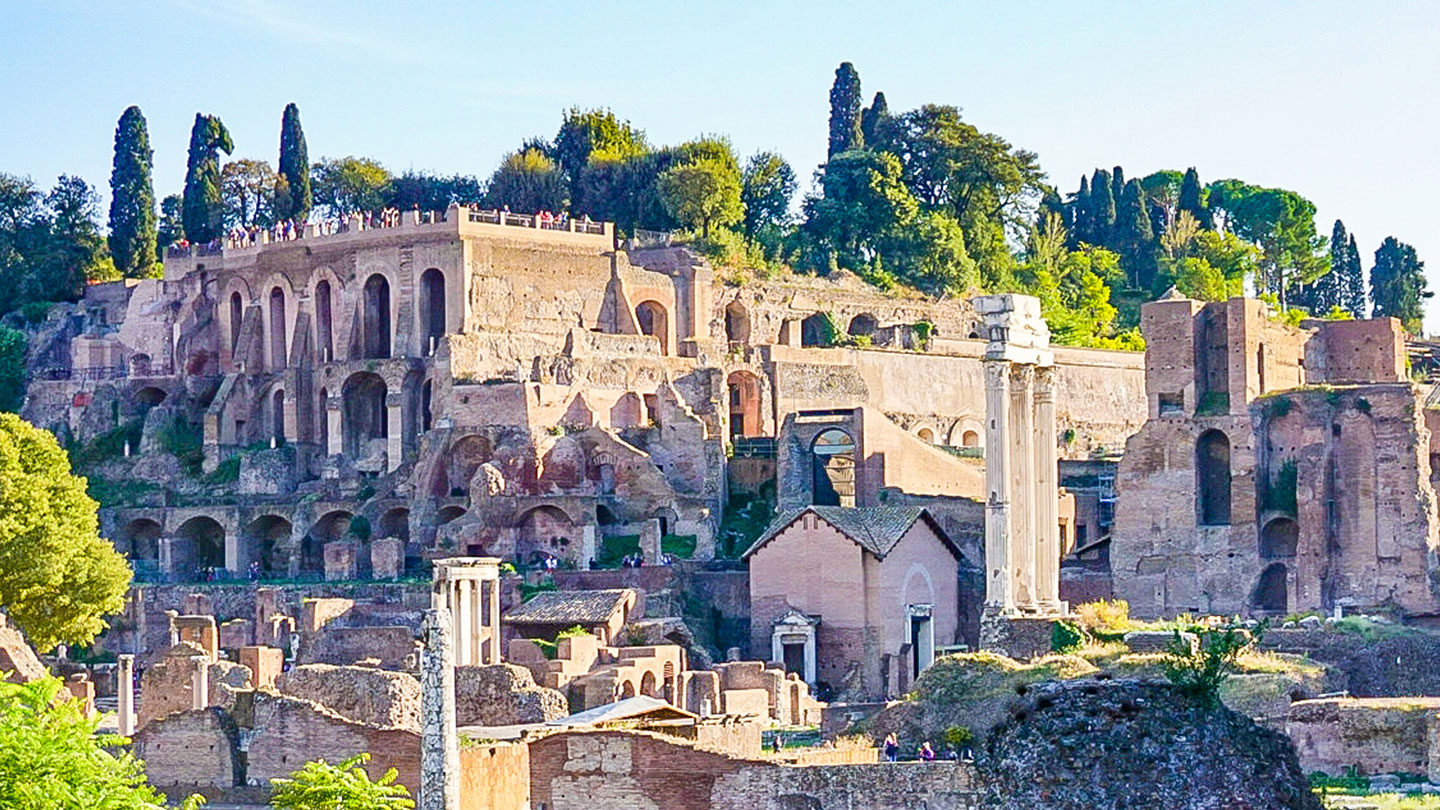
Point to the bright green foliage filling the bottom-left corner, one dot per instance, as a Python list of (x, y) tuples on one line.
[(51, 757)]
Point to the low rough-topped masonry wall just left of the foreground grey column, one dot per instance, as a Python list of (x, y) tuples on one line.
[(366, 695)]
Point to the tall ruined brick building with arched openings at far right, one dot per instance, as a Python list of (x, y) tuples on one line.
[(1281, 469)]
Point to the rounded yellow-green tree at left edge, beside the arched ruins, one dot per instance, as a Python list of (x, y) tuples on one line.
[(58, 579)]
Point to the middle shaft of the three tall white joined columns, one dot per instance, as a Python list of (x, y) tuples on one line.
[(1023, 485)]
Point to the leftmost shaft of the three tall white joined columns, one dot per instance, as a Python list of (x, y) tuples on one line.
[(1000, 595)]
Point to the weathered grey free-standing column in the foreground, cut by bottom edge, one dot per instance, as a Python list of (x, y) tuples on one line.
[(440, 743)]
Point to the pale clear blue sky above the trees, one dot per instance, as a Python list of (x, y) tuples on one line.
[(1340, 102)]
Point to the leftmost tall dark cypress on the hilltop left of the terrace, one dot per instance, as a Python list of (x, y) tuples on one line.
[(132, 198)]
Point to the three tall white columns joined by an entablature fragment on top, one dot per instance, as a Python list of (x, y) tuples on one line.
[(1022, 527)]
